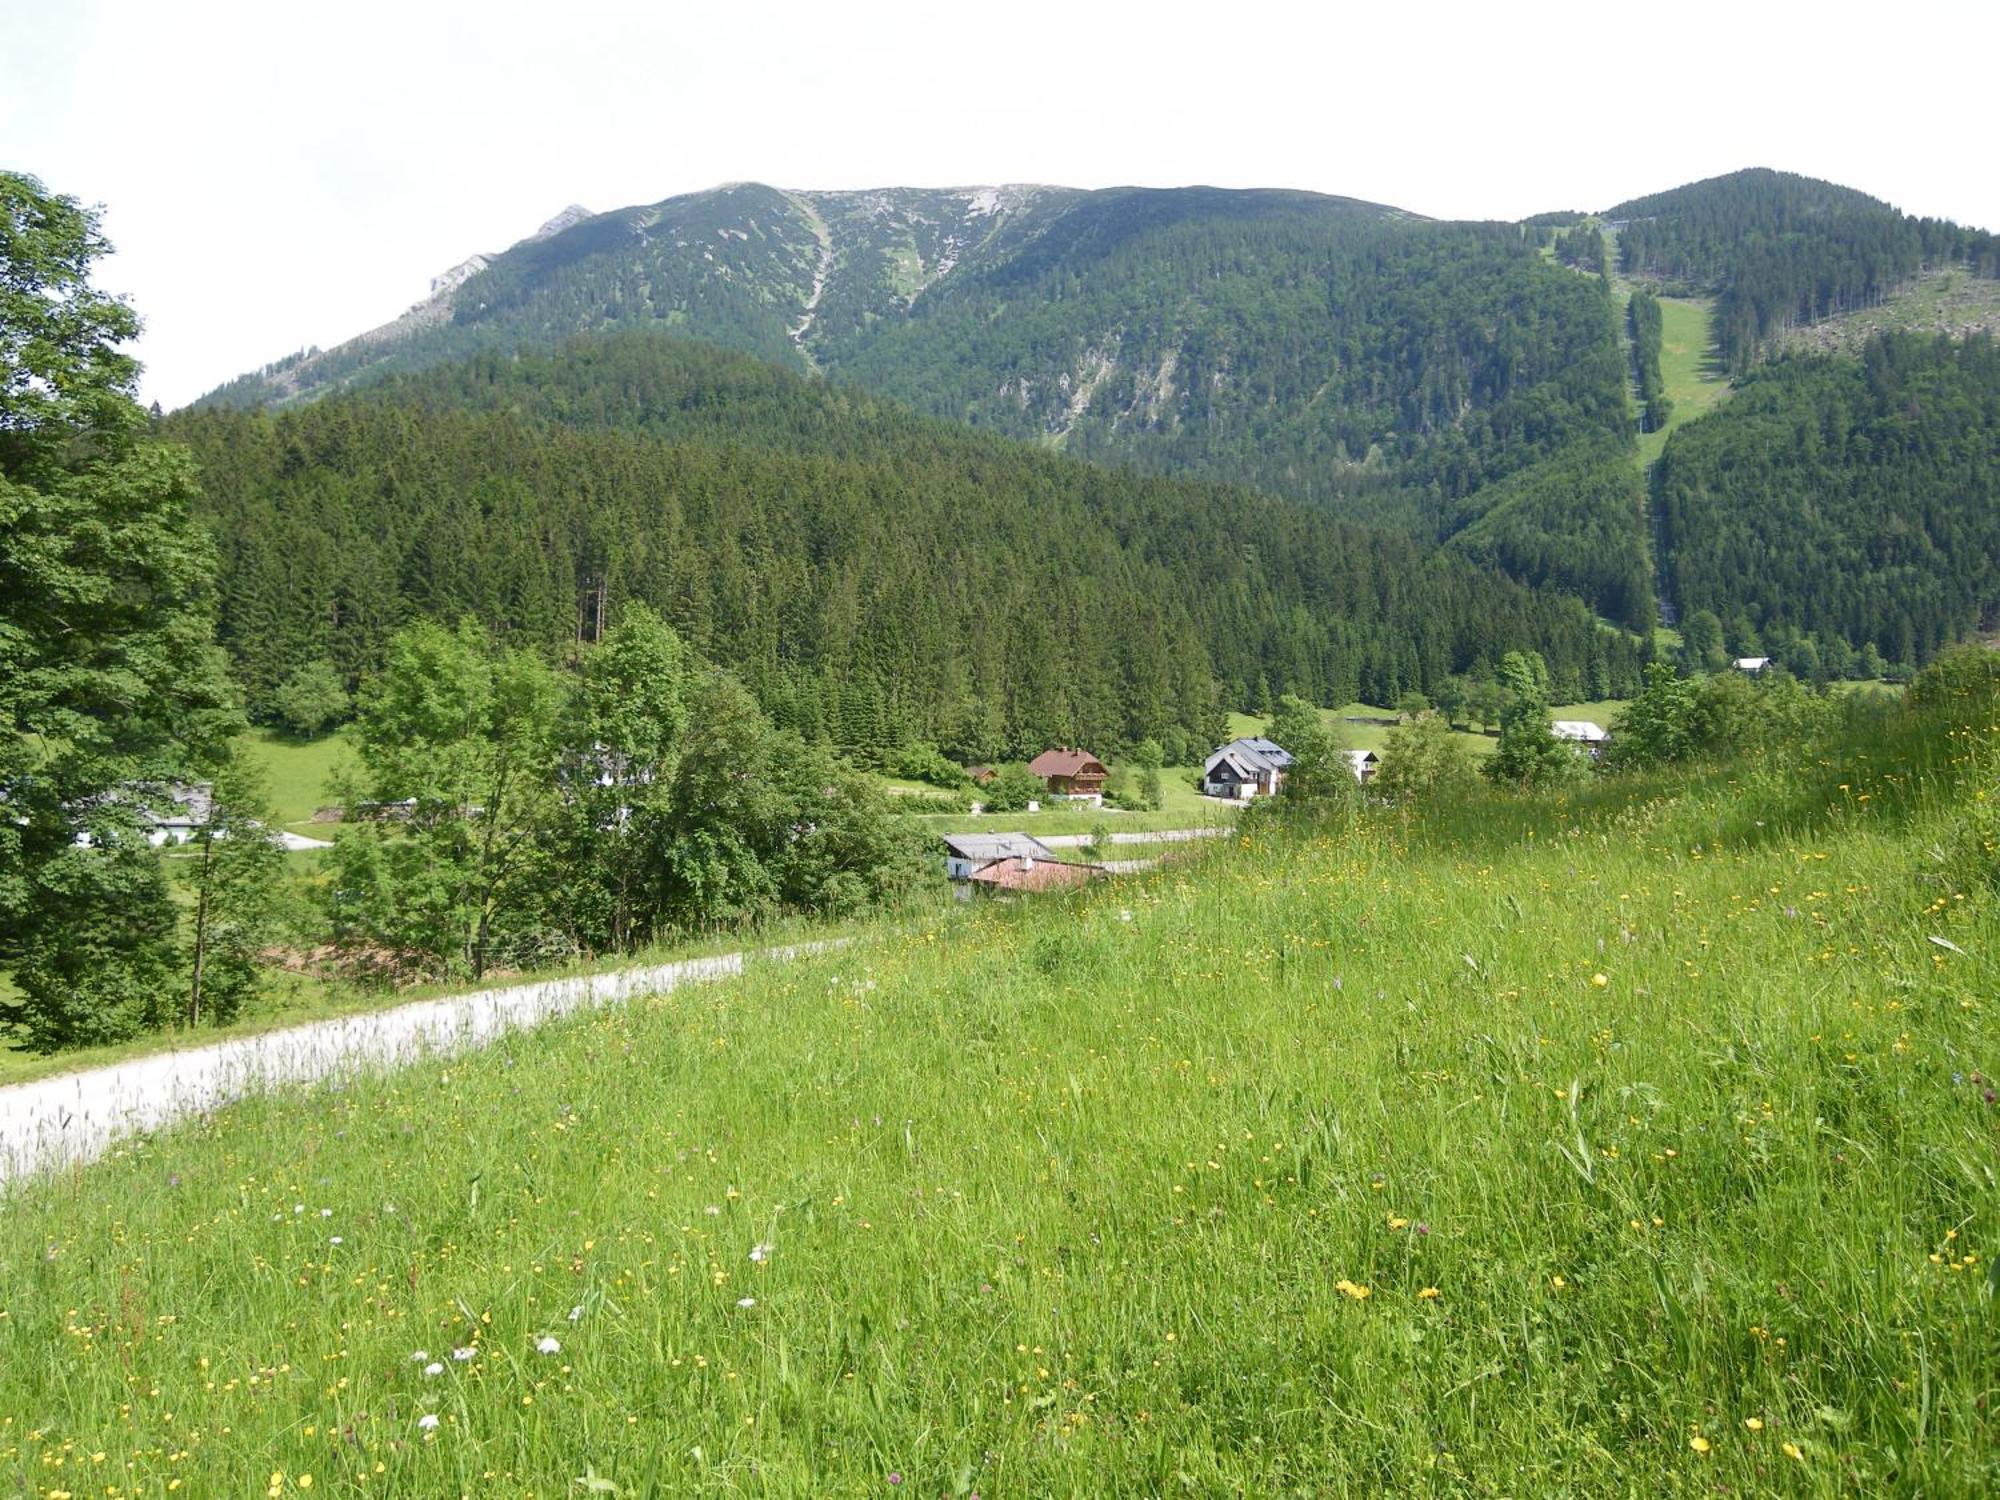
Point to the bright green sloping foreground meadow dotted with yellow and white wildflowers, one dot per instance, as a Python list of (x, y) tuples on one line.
[(1629, 1143)]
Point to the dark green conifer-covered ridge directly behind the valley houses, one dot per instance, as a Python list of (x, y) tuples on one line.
[(873, 577)]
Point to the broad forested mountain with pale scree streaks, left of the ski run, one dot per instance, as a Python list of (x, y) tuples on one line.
[(1317, 347)]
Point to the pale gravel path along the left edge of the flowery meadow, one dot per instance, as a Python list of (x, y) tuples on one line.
[(75, 1117)]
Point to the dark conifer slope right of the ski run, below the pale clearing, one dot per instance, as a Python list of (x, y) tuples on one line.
[(1845, 499)]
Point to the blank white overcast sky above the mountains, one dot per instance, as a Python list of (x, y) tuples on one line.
[(289, 173)]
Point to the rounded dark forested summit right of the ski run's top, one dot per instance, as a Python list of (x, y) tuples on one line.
[(1779, 251)]
